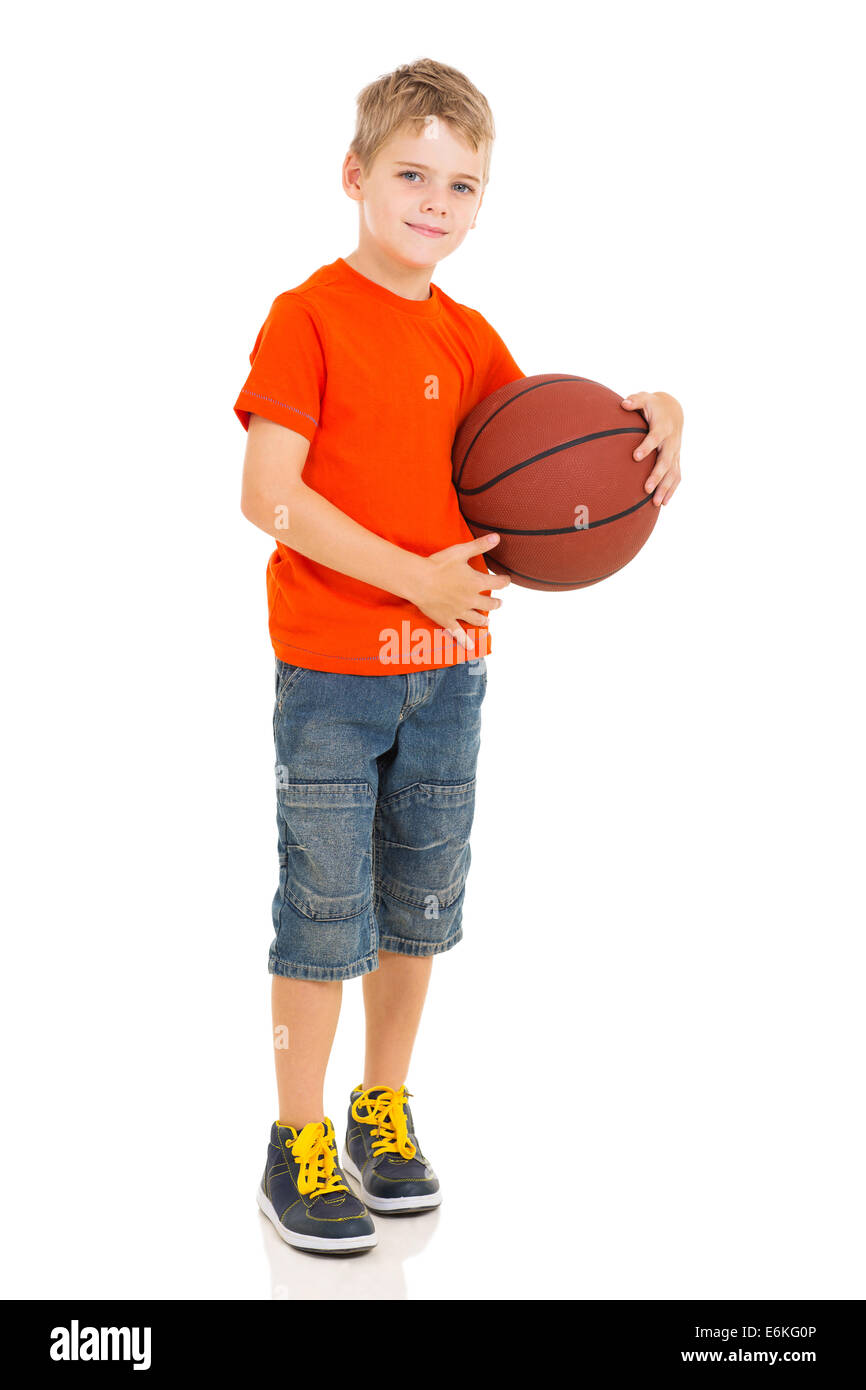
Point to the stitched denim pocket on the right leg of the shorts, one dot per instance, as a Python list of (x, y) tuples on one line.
[(422, 843)]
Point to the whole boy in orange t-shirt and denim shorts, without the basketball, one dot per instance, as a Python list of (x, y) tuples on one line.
[(379, 604)]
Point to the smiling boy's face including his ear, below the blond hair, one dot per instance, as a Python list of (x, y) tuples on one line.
[(432, 180)]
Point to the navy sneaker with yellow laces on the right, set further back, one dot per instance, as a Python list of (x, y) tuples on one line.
[(383, 1153)]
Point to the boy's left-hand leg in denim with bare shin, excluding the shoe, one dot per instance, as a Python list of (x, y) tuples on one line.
[(329, 732)]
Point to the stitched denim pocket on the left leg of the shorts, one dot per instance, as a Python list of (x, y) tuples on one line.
[(327, 842)]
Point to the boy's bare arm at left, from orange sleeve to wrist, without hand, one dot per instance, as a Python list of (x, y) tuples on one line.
[(276, 498)]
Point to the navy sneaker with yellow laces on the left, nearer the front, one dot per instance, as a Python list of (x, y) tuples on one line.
[(305, 1195)]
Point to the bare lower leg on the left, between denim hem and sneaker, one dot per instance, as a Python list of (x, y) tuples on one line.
[(305, 1017)]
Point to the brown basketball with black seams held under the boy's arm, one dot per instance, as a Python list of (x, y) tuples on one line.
[(548, 465)]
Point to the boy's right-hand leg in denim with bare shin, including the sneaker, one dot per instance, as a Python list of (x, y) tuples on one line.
[(422, 857)]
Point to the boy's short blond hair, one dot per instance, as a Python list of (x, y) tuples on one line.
[(409, 97)]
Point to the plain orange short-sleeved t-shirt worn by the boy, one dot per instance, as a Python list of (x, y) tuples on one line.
[(379, 384)]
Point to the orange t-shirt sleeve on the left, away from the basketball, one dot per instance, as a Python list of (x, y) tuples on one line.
[(287, 380)]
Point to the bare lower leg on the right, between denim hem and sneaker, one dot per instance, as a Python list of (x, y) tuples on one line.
[(394, 1000)]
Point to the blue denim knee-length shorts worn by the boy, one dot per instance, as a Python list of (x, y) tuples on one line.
[(376, 794)]
